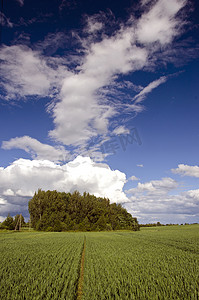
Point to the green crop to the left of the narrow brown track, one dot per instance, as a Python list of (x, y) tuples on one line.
[(39, 265)]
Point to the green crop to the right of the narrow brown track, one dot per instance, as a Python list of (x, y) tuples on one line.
[(151, 264)]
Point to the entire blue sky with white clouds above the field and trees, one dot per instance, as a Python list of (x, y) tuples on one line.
[(101, 96)]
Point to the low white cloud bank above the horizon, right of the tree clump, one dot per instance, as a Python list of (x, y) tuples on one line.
[(157, 199)]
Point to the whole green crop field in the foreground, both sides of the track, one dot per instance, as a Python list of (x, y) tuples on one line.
[(155, 263)]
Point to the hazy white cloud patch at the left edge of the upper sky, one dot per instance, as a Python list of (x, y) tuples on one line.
[(24, 72)]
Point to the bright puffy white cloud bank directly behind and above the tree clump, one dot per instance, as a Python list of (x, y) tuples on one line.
[(23, 177)]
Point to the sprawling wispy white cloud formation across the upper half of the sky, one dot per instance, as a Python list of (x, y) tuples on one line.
[(83, 111)]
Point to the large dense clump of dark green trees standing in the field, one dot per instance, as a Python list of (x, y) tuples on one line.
[(56, 211)]
